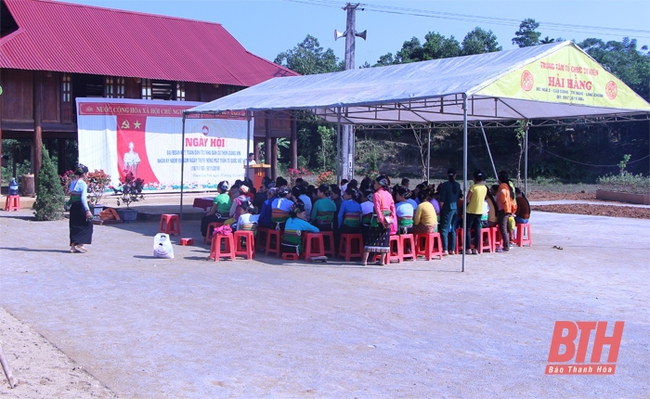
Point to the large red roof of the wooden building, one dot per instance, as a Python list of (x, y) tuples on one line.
[(62, 37)]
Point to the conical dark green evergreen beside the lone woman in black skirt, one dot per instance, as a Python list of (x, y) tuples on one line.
[(49, 192)]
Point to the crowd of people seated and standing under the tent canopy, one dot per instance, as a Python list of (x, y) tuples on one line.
[(373, 209)]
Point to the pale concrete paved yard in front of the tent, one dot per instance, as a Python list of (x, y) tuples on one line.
[(188, 328)]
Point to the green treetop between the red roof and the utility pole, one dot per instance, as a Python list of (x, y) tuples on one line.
[(309, 58)]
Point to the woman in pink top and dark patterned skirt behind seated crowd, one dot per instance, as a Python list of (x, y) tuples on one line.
[(384, 220)]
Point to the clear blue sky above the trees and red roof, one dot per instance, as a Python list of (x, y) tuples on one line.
[(268, 27)]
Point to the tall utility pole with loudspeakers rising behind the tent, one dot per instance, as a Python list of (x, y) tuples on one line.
[(348, 130)]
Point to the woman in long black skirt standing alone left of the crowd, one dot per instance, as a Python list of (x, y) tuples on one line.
[(81, 223)]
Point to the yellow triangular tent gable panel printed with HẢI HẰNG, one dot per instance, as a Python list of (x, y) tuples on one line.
[(567, 76)]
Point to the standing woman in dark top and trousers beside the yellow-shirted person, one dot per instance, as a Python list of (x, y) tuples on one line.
[(449, 195)]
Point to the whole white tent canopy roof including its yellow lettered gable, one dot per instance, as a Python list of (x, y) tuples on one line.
[(433, 91)]
